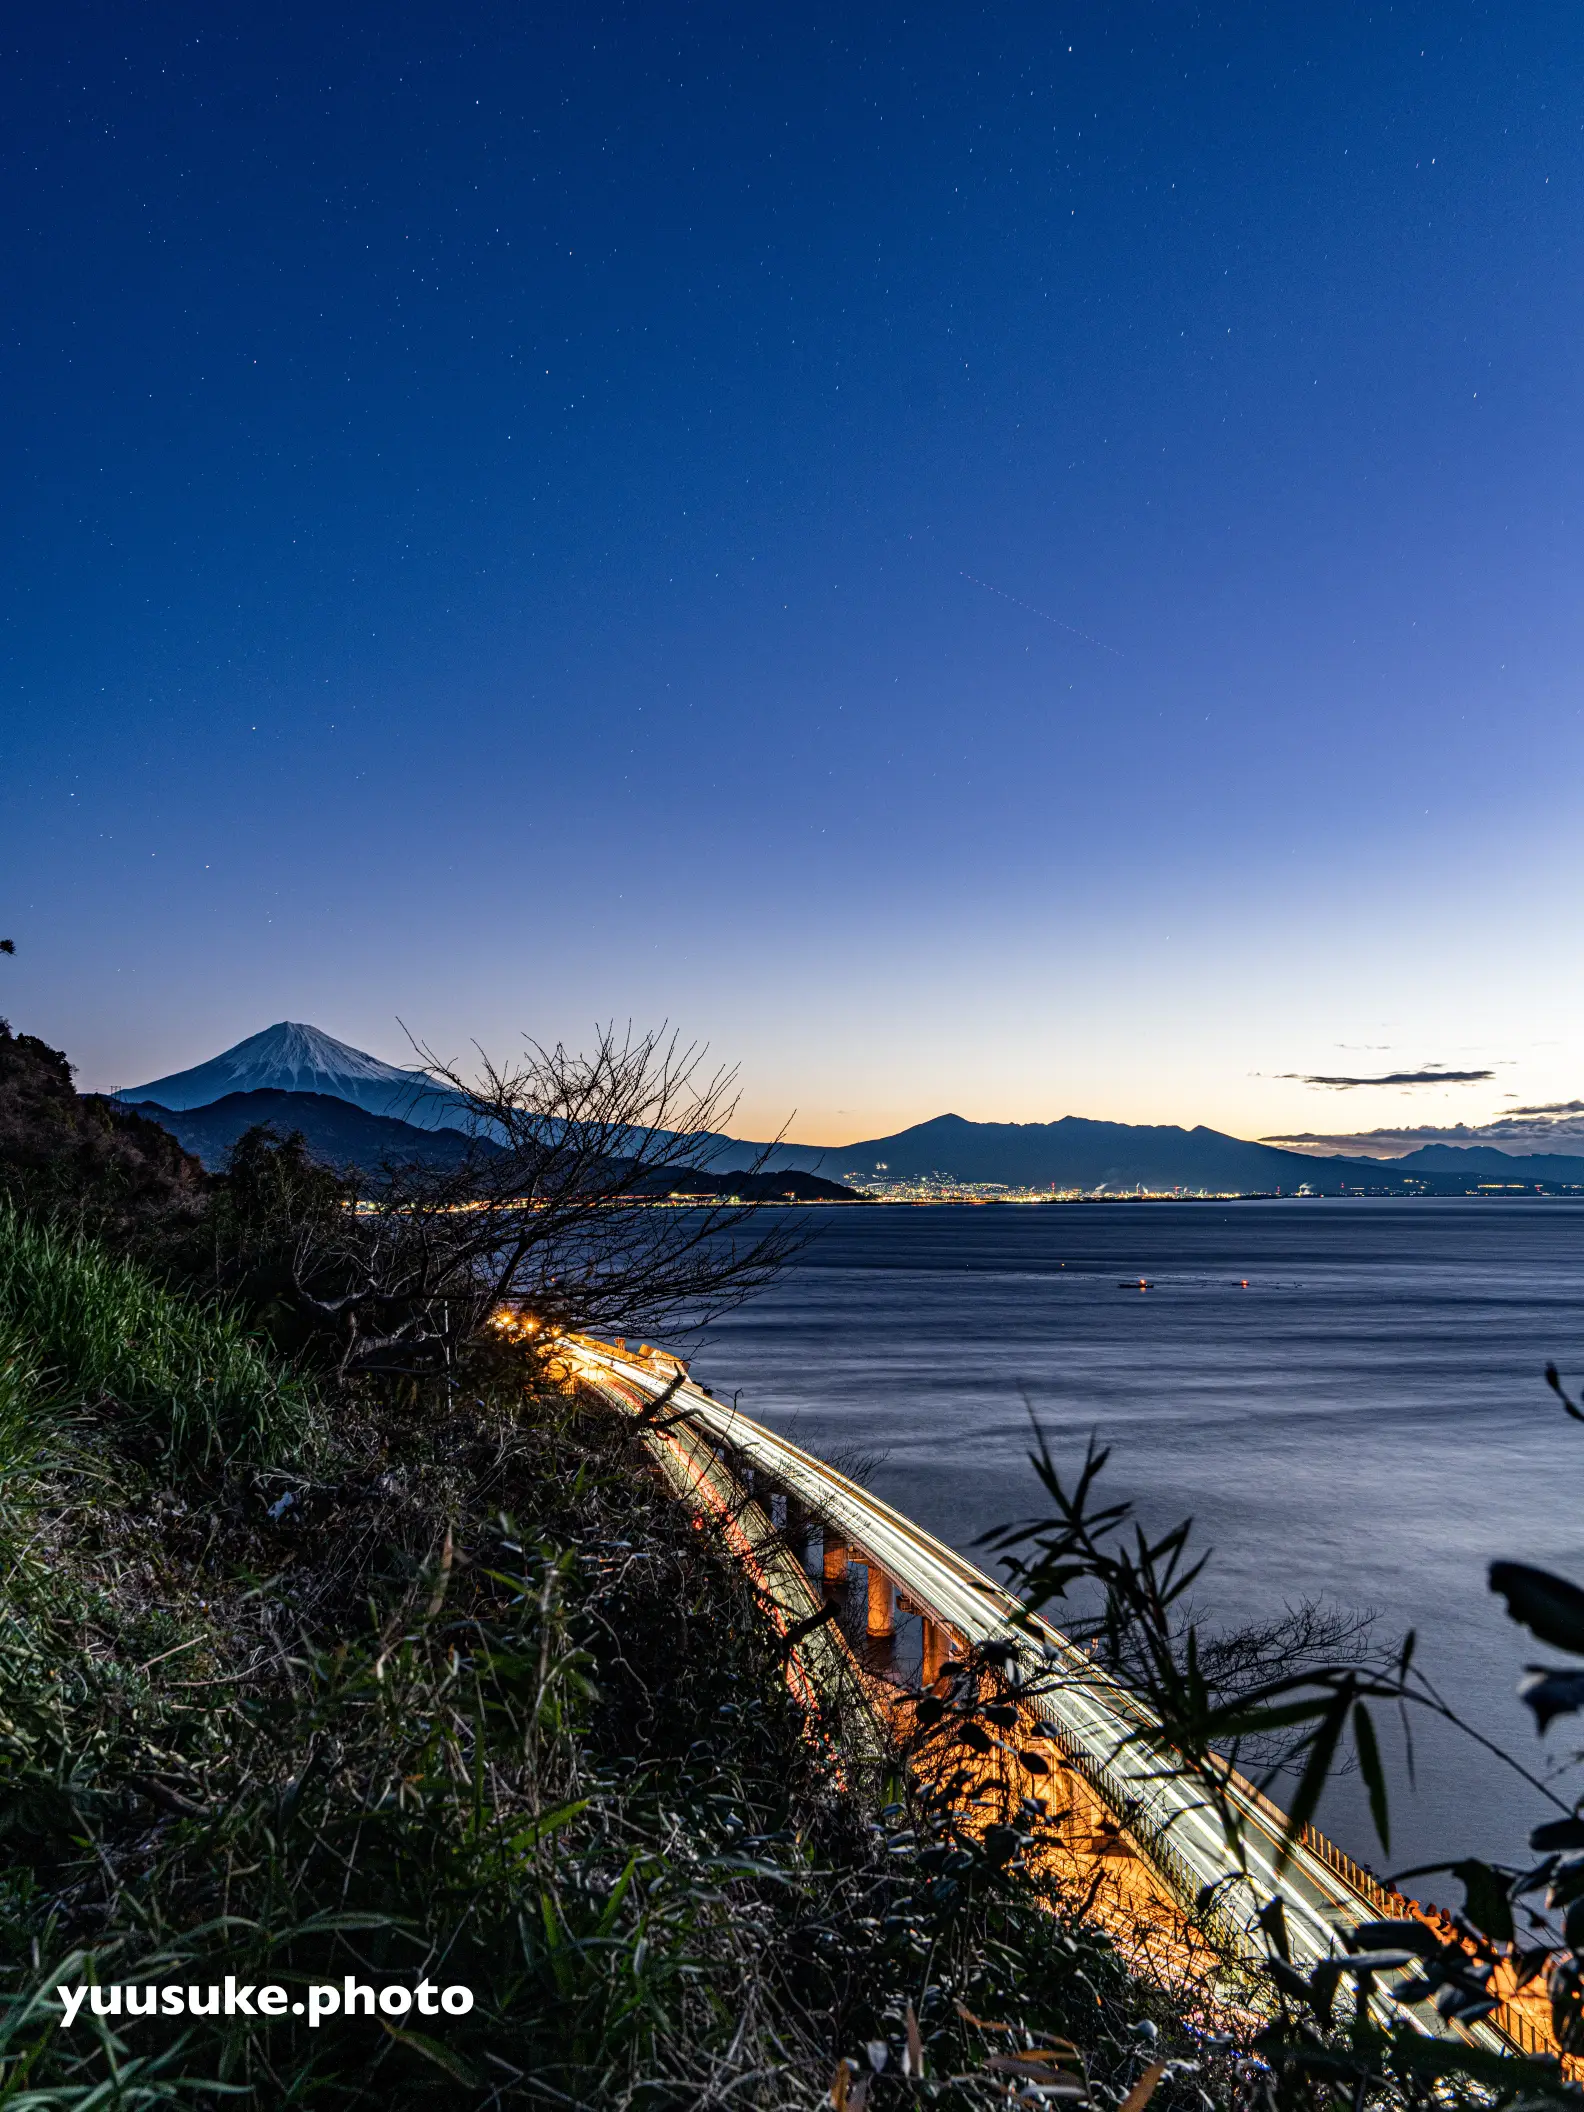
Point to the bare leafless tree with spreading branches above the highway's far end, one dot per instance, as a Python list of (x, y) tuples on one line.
[(586, 1203)]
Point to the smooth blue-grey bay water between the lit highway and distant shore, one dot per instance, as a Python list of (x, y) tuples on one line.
[(1365, 1420)]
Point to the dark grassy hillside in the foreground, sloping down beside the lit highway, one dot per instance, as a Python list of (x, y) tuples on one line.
[(451, 1689)]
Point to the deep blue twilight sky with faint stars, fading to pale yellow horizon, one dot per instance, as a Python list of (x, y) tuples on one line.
[(502, 516)]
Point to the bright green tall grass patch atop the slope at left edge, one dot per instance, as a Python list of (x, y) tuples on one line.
[(109, 1338)]
